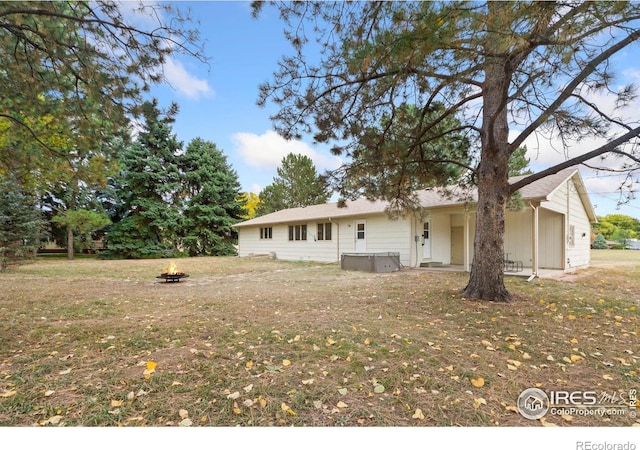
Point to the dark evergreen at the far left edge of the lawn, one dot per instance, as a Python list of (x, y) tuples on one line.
[(20, 224)]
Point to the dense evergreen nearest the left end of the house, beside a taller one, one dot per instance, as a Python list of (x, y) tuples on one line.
[(213, 202)]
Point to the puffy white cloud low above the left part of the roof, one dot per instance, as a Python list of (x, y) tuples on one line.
[(267, 150)]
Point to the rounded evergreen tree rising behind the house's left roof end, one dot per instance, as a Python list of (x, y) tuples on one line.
[(297, 184)]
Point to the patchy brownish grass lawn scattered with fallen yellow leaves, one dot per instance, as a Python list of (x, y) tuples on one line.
[(271, 343)]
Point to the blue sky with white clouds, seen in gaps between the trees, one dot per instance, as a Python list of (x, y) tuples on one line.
[(218, 102)]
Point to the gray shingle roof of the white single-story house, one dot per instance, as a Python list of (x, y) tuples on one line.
[(431, 198)]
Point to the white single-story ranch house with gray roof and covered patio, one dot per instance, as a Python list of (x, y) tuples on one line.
[(551, 232)]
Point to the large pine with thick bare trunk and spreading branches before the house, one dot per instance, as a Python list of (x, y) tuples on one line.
[(502, 71)]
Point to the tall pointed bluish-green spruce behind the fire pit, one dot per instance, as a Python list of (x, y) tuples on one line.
[(148, 187)]
